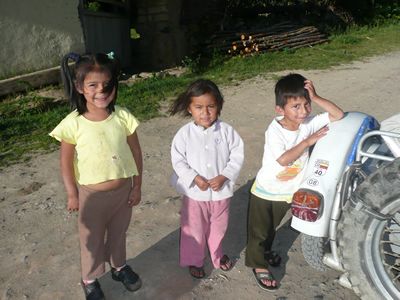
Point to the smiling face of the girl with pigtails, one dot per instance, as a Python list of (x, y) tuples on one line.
[(95, 89)]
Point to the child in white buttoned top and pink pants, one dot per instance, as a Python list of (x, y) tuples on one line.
[(207, 155)]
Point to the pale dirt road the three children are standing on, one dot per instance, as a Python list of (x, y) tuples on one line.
[(39, 253)]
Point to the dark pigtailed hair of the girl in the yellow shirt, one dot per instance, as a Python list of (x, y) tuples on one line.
[(74, 76)]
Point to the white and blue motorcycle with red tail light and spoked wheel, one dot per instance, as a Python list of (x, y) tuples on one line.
[(347, 207)]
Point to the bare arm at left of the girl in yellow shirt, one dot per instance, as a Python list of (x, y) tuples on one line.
[(67, 172)]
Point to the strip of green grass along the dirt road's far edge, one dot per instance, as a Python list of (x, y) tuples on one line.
[(26, 120)]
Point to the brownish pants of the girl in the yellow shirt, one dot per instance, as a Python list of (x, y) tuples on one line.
[(103, 220)]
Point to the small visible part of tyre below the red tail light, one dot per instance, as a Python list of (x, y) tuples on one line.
[(313, 249)]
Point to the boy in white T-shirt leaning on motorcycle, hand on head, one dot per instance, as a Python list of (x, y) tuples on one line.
[(287, 141)]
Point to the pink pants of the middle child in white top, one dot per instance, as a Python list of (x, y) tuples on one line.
[(203, 223)]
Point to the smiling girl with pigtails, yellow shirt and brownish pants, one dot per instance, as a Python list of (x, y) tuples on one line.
[(101, 165)]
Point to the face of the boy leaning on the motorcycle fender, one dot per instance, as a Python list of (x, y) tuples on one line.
[(295, 111)]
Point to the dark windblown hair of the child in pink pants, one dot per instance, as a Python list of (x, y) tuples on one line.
[(197, 88)]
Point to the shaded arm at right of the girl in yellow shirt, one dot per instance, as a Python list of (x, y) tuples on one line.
[(134, 144)]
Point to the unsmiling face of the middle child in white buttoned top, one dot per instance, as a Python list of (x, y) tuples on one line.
[(204, 110)]
